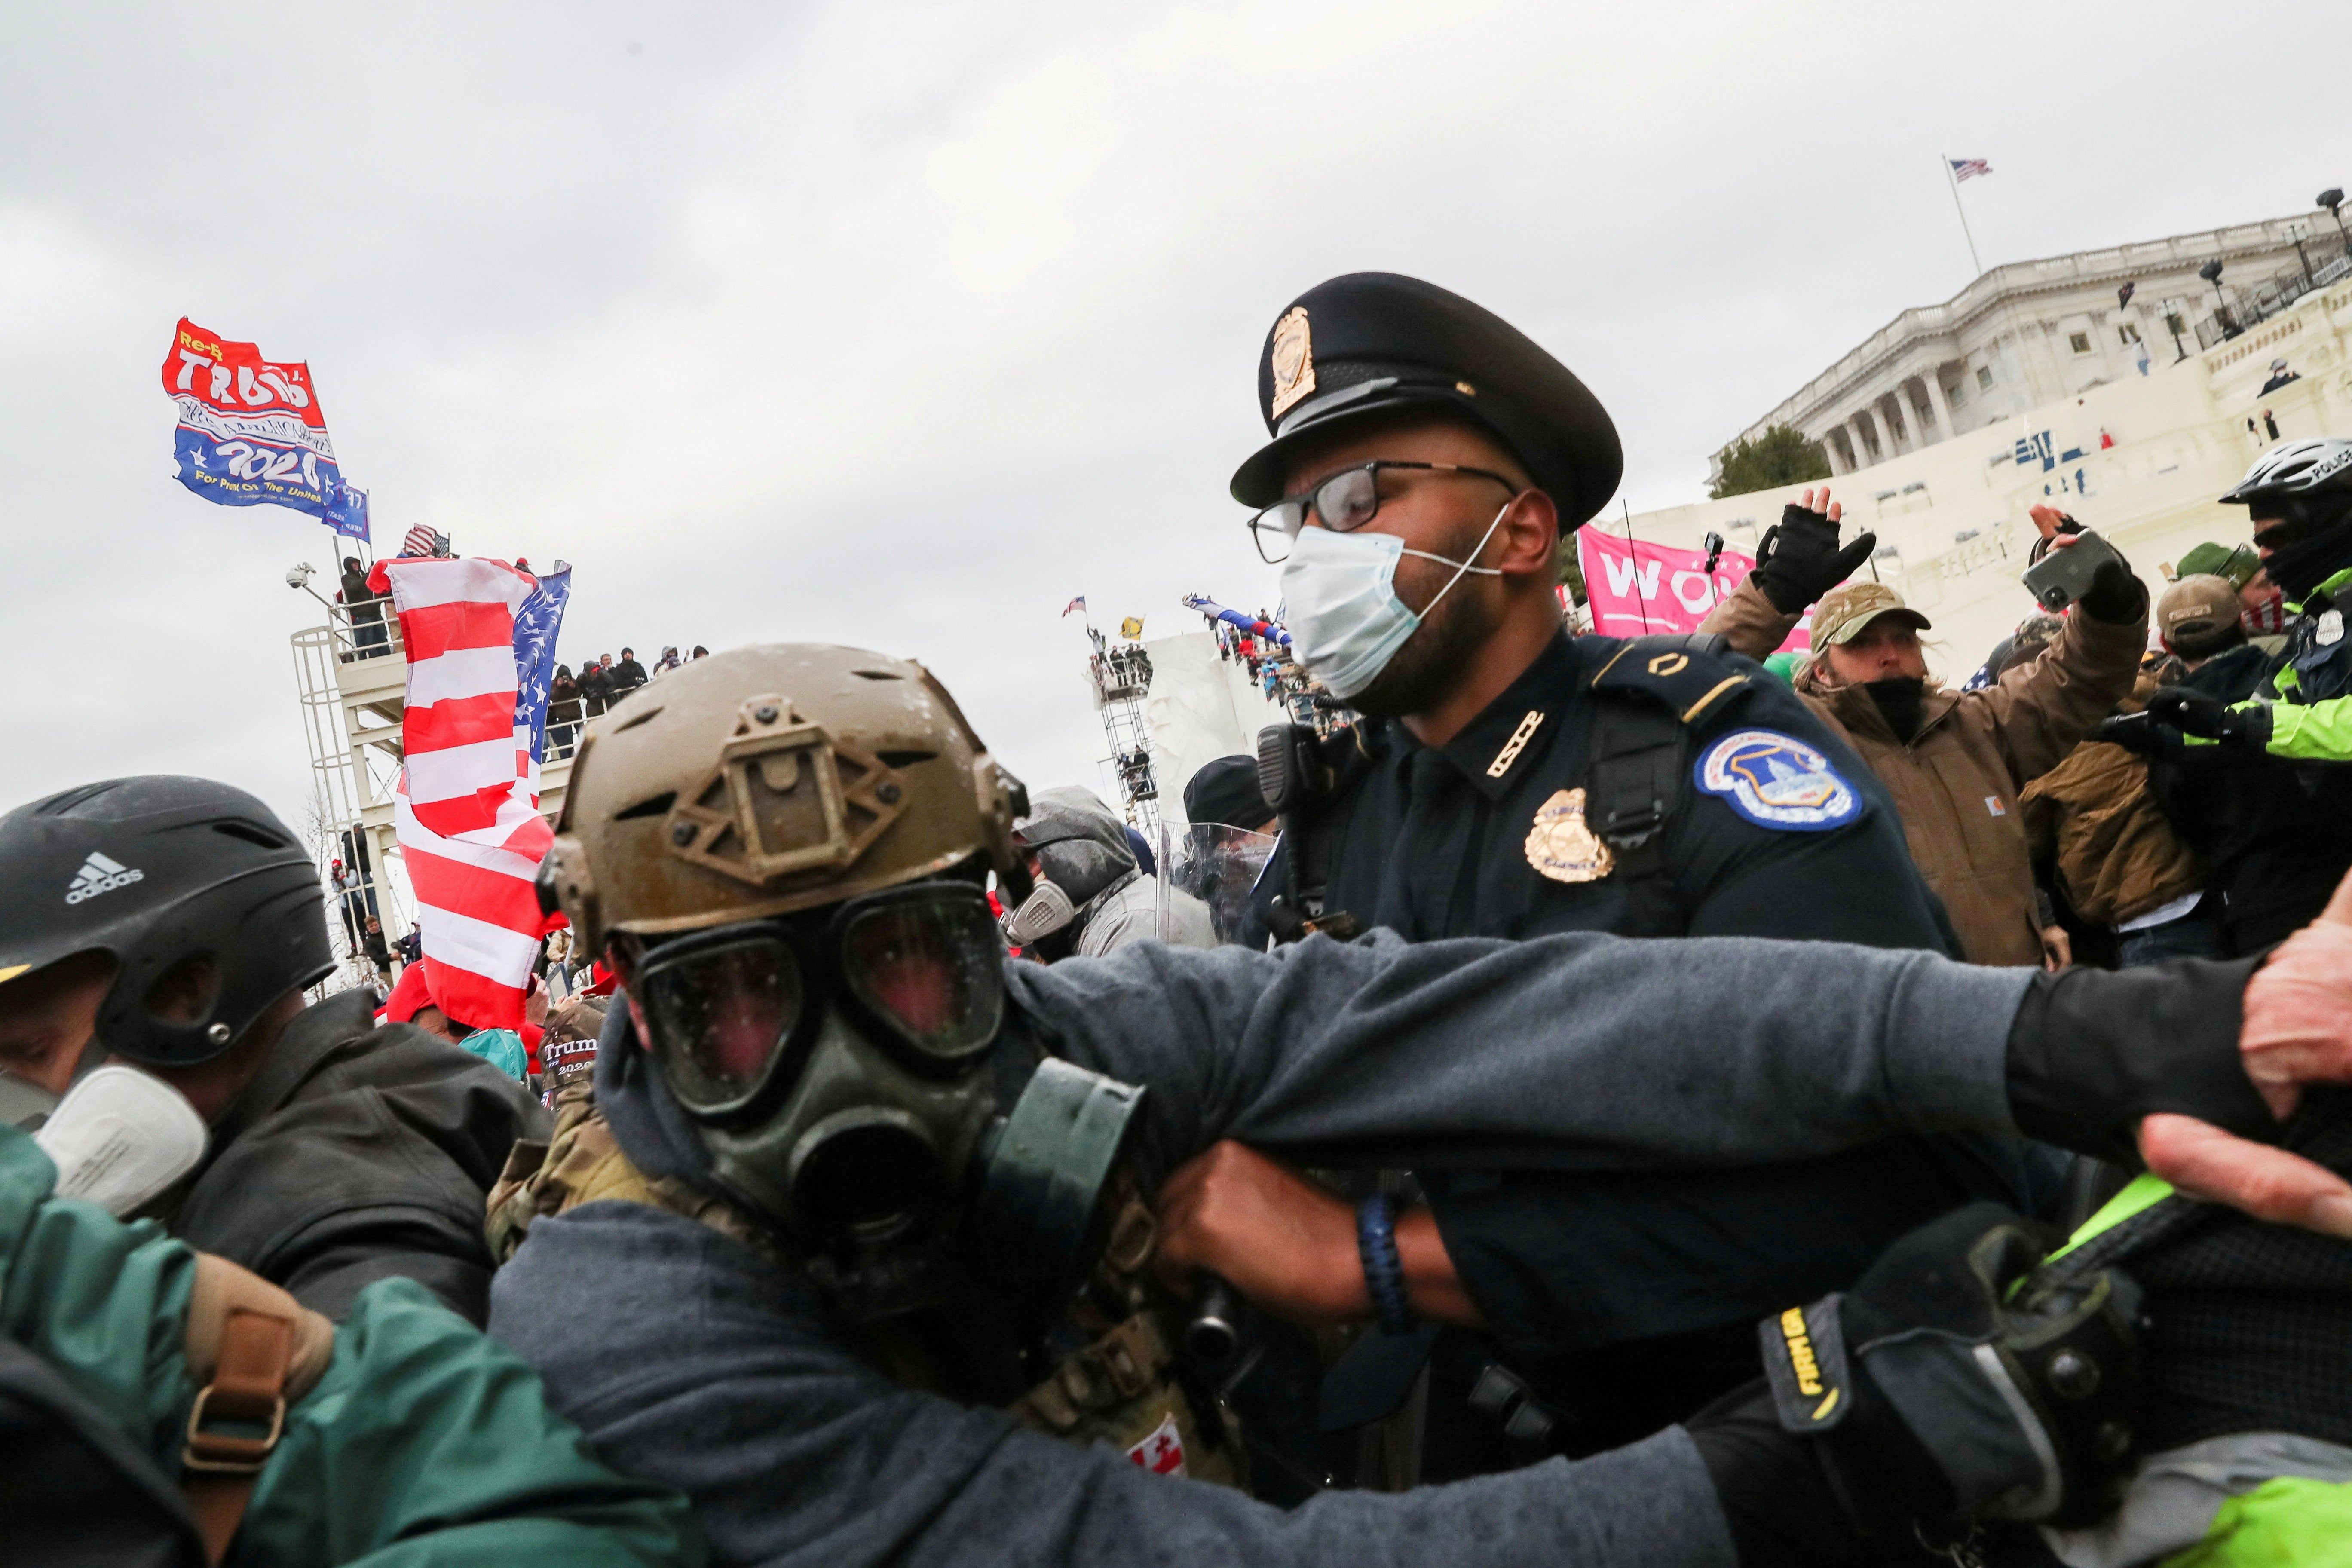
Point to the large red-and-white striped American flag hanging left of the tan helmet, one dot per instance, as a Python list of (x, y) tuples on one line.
[(467, 805)]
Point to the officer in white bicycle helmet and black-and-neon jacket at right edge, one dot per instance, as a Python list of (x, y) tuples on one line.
[(2250, 751)]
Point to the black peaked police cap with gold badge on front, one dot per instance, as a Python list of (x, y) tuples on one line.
[(1375, 342)]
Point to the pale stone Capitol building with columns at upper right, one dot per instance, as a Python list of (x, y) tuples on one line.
[(2036, 384)]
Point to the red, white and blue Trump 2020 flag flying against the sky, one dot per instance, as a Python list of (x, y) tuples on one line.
[(250, 431)]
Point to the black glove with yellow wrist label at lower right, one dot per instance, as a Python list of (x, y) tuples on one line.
[(1935, 1393)]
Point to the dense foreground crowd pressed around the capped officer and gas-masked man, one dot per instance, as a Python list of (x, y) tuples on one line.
[(900, 1165)]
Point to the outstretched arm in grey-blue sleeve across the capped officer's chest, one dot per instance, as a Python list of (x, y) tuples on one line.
[(1591, 1052)]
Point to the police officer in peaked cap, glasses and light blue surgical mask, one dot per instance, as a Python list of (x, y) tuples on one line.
[(1511, 782)]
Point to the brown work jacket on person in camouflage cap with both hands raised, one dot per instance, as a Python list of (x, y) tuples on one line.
[(1958, 782)]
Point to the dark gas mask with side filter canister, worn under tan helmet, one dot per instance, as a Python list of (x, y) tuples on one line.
[(836, 1071)]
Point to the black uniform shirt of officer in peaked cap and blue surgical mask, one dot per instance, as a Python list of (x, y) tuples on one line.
[(1434, 840)]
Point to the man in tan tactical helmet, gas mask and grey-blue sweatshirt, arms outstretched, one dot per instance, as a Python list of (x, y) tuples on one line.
[(878, 1217)]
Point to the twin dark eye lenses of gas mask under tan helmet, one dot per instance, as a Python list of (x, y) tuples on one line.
[(735, 1012)]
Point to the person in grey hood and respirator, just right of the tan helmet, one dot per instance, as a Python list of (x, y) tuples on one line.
[(1090, 892)]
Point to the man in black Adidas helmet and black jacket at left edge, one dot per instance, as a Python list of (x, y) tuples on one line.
[(175, 925)]
